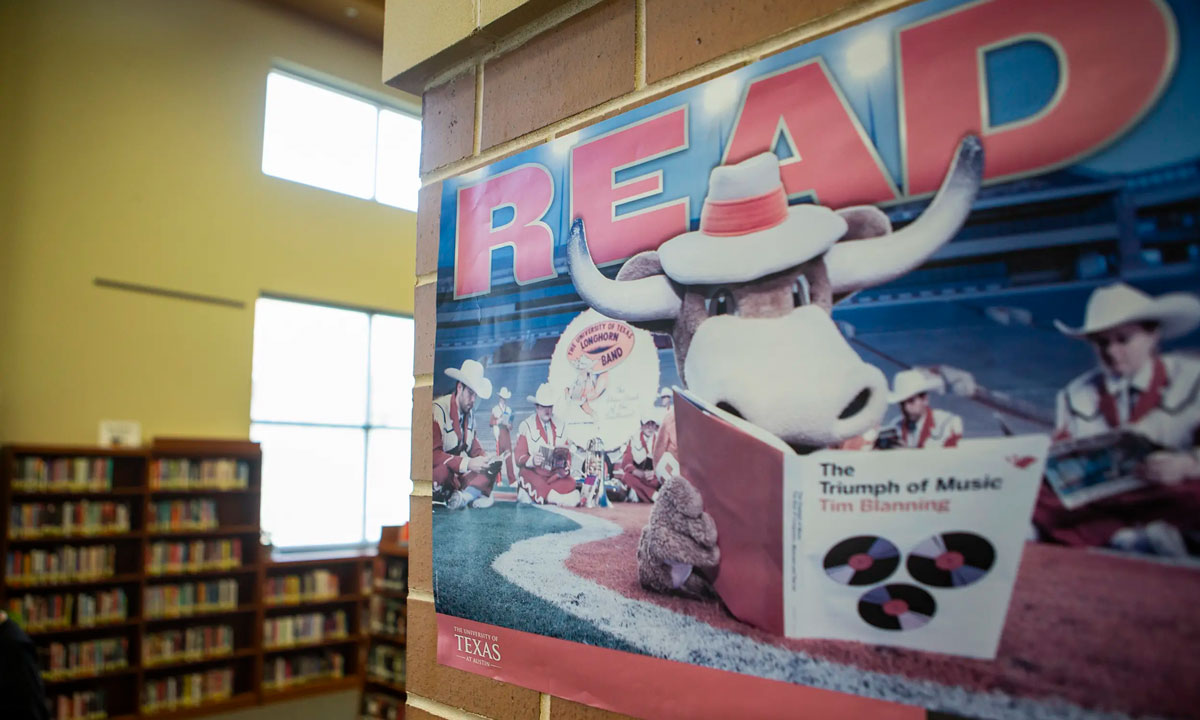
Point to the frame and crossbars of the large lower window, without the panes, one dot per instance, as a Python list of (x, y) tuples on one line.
[(367, 428)]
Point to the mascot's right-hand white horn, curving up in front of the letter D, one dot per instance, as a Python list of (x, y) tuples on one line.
[(857, 265)]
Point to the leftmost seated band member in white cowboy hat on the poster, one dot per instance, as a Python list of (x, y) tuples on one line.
[(463, 473)]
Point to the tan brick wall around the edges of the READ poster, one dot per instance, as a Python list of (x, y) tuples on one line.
[(584, 62)]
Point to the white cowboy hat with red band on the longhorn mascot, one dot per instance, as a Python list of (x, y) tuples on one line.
[(747, 230)]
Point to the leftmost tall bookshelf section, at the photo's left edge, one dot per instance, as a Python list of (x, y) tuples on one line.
[(75, 526)]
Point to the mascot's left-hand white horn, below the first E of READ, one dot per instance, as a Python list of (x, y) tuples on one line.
[(633, 301)]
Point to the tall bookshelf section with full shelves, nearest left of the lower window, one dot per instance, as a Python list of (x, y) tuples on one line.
[(201, 563)]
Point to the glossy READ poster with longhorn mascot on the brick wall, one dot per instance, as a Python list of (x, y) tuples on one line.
[(856, 382)]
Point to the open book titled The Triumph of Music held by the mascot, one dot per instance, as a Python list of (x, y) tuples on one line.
[(915, 549)]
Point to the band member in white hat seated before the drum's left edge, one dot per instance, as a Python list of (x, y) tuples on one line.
[(543, 457)]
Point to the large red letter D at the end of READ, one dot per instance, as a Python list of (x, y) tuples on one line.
[(1115, 57)]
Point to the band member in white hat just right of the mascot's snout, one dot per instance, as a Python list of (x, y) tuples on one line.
[(920, 425)]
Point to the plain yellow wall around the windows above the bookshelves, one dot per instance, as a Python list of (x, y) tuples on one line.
[(130, 149)]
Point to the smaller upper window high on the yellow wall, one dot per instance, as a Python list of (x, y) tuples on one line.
[(329, 140)]
